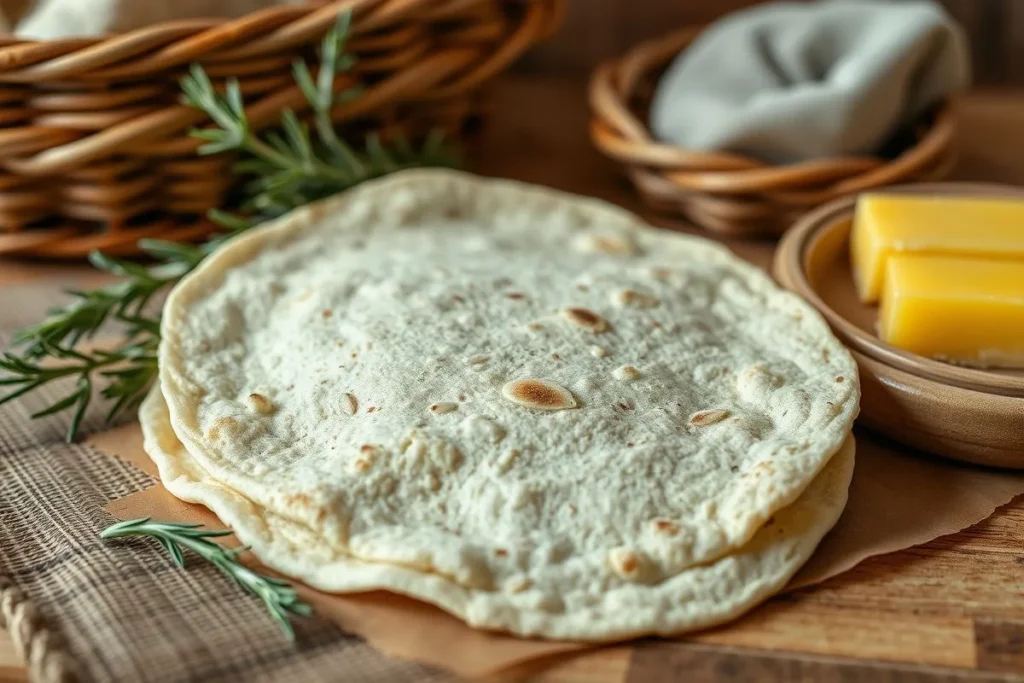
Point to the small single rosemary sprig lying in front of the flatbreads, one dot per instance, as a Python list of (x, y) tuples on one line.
[(281, 600)]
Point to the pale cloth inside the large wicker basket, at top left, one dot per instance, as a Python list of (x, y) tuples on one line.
[(62, 19)]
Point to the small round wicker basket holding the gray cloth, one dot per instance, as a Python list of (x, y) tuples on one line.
[(730, 194)]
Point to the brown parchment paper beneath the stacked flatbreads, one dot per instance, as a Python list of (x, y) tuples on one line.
[(899, 499)]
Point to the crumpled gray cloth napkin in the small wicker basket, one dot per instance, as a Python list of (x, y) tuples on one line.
[(790, 82)]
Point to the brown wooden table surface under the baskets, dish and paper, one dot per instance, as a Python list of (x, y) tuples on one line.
[(950, 611)]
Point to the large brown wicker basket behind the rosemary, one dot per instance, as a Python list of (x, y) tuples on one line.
[(95, 150)]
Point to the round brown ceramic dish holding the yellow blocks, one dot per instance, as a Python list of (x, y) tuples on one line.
[(962, 413)]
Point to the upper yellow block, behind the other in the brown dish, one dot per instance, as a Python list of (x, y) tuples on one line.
[(885, 225)]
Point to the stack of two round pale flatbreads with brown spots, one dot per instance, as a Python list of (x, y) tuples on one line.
[(527, 408)]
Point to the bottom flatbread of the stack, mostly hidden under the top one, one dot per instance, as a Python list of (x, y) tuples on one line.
[(698, 599)]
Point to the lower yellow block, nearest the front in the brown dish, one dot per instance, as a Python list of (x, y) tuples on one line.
[(962, 310)]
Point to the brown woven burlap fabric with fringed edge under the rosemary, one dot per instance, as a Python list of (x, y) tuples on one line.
[(82, 610)]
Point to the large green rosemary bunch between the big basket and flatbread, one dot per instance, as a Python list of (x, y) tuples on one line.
[(288, 169)]
